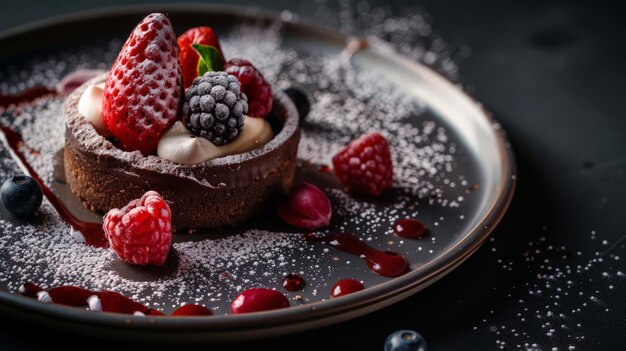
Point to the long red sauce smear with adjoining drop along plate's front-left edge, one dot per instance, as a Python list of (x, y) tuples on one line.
[(105, 301)]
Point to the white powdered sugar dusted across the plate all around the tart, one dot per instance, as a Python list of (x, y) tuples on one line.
[(347, 102)]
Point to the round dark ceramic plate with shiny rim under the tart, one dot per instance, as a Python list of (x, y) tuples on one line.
[(463, 196)]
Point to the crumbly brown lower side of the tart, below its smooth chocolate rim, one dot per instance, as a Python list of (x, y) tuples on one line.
[(101, 190)]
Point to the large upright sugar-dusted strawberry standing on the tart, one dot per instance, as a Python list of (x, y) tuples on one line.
[(142, 94)]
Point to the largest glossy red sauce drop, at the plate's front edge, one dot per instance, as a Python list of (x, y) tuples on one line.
[(258, 299)]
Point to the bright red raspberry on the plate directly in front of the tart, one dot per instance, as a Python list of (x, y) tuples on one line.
[(140, 232)]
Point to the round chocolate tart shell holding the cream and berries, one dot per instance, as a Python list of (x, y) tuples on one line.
[(218, 192)]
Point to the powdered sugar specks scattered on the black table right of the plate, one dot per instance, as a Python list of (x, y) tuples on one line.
[(562, 289)]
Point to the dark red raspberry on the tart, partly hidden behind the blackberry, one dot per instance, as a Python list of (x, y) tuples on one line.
[(256, 88)]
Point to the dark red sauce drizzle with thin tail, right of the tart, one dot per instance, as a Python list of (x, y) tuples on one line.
[(385, 263)]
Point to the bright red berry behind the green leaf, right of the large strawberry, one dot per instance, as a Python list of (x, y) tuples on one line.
[(189, 57)]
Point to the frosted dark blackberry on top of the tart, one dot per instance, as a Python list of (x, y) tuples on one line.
[(215, 107)]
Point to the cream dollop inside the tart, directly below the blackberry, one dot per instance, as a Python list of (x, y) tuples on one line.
[(179, 145)]
